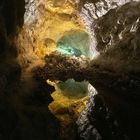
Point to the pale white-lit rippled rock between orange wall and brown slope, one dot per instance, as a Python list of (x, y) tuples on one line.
[(91, 10)]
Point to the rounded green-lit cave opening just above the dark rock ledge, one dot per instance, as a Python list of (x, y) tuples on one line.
[(74, 43)]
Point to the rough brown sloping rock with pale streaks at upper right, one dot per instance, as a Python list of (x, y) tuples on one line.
[(118, 42)]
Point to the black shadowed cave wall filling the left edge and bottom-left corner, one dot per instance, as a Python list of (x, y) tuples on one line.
[(23, 108)]
